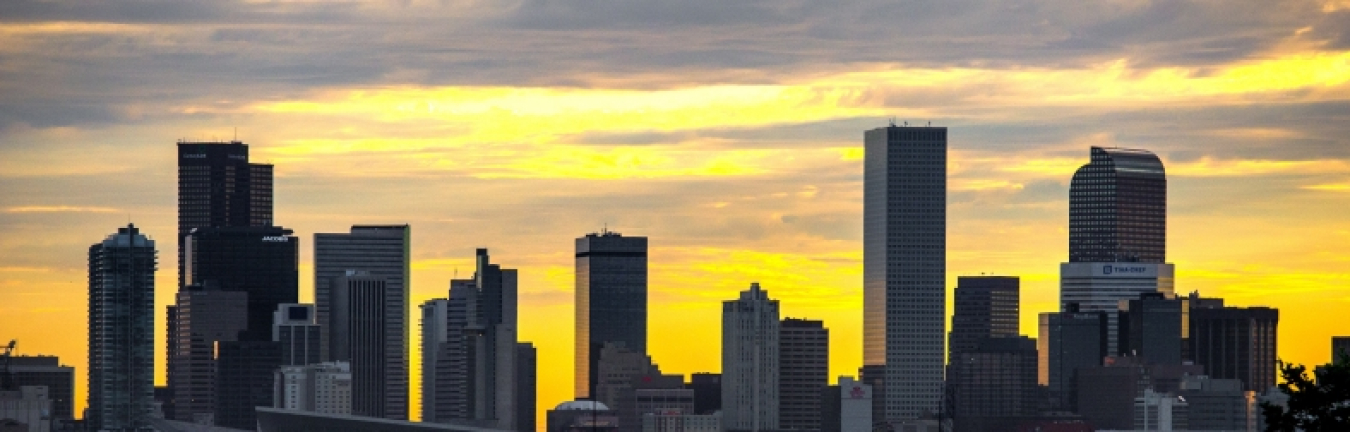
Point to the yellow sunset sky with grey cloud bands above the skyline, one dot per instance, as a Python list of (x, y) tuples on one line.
[(728, 133)]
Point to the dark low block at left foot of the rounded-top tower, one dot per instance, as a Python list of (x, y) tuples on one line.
[(1069, 342)]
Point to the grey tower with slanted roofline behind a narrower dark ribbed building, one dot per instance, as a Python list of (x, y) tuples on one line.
[(380, 250)]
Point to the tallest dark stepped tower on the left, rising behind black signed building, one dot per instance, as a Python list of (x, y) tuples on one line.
[(219, 188)]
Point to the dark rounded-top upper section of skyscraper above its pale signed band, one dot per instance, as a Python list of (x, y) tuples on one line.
[(1118, 209)]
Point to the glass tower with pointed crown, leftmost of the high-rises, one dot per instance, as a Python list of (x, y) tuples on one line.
[(122, 325)]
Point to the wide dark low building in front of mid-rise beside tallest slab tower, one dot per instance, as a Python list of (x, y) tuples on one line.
[(994, 383)]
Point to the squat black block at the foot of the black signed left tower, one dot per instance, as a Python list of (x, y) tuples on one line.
[(245, 380)]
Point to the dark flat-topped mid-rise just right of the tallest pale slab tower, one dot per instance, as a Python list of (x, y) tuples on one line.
[(985, 307)]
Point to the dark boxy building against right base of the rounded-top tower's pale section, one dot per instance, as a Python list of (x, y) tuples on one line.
[(1155, 329)]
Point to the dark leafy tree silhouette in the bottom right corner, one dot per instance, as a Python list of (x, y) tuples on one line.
[(1321, 406)]
